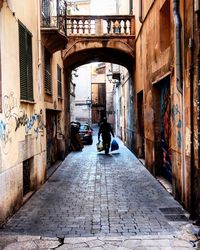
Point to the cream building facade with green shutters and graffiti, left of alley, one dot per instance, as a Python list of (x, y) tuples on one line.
[(31, 103)]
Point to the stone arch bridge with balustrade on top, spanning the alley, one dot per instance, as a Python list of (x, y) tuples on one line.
[(100, 38)]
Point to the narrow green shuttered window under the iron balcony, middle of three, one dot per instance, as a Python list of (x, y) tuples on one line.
[(47, 73)]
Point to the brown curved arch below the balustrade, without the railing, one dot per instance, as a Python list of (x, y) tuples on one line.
[(82, 51)]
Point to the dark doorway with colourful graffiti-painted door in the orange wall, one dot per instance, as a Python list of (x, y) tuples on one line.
[(162, 107)]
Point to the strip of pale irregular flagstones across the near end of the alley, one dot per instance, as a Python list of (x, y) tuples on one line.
[(166, 242)]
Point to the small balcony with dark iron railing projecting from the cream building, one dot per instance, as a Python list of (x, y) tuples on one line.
[(53, 25)]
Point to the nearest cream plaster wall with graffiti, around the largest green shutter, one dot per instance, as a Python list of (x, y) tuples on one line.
[(22, 125)]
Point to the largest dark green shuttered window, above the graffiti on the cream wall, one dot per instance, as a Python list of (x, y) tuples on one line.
[(25, 62)]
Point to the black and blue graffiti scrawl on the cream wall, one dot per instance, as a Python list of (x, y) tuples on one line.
[(16, 117)]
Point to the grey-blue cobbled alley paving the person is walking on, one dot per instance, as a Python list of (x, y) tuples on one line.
[(100, 201)]
